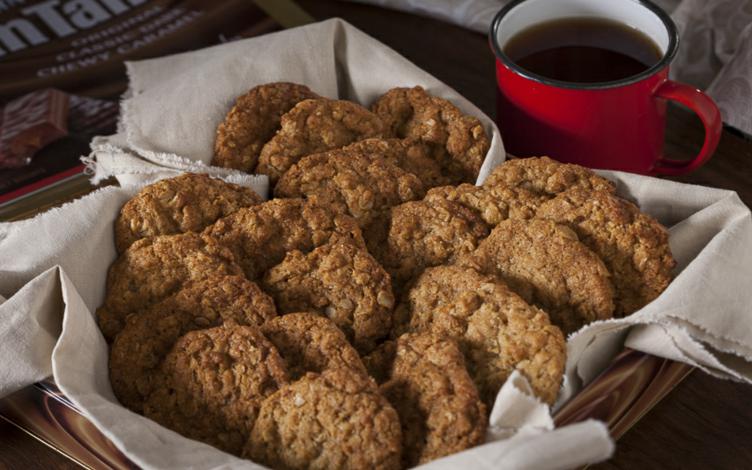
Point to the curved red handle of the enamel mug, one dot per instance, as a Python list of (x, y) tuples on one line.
[(708, 113)]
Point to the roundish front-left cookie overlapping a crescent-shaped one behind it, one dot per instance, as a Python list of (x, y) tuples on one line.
[(213, 383)]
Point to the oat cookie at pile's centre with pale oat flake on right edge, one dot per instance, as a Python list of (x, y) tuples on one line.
[(341, 281)]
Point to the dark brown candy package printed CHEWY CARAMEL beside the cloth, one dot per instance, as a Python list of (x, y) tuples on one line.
[(62, 71)]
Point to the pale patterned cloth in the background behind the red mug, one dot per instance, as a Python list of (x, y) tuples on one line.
[(715, 43)]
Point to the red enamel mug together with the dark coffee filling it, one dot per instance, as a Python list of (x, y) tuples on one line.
[(602, 112)]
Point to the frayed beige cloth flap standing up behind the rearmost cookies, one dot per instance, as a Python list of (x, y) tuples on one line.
[(196, 89)]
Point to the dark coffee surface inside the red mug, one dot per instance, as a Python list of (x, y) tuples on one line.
[(583, 50)]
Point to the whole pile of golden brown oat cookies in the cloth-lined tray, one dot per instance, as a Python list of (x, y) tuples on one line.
[(367, 315)]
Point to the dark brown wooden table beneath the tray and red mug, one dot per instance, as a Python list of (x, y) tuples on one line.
[(704, 422)]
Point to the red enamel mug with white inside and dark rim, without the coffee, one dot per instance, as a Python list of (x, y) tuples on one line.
[(616, 125)]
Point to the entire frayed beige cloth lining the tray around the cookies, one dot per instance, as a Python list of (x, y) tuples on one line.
[(54, 266)]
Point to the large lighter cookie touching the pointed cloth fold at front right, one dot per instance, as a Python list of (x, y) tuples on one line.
[(497, 331)]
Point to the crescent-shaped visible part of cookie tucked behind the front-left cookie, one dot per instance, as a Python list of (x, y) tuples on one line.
[(148, 335)]
